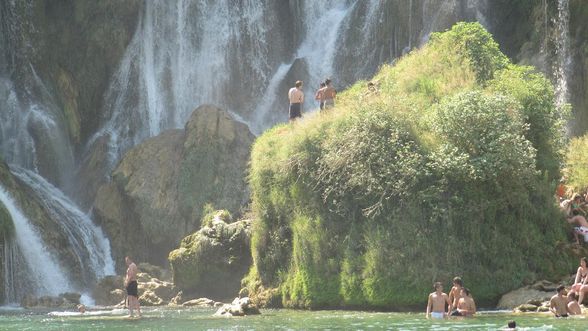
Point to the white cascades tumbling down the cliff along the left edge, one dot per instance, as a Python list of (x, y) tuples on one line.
[(34, 141)]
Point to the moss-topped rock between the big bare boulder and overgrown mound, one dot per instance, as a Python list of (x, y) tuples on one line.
[(212, 261)]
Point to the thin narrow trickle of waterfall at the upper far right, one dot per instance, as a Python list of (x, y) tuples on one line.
[(563, 59)]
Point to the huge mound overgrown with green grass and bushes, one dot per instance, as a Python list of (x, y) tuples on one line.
[(445, 169)]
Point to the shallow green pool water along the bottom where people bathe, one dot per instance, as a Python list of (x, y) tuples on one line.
[(202, 319)]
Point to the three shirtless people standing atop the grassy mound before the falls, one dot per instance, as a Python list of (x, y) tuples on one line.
[(325, 96)]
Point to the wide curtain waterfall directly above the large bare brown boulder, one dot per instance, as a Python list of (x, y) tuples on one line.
[(184, 54)]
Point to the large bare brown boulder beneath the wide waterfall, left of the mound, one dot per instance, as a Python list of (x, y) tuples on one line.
[(158, 190)]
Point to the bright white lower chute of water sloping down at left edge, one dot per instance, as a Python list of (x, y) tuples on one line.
[(44, 276)]
